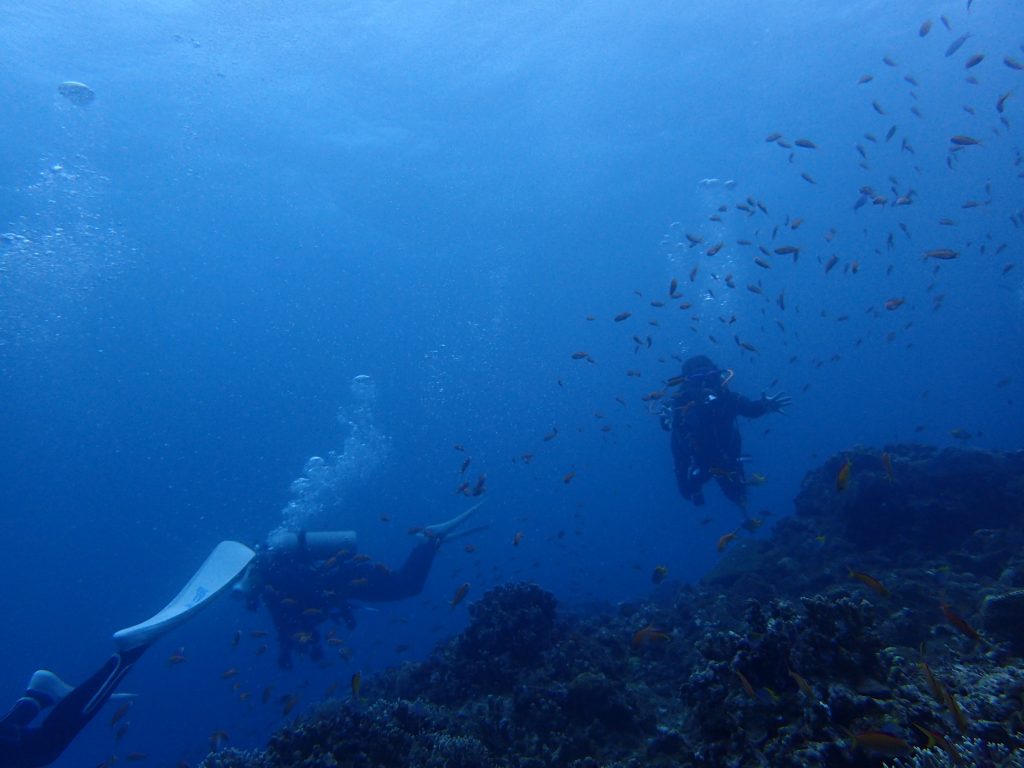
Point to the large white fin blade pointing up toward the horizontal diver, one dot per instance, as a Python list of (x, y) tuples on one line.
[(224, 566)]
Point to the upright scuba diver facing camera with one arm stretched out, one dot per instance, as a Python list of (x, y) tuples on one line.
[(706, 441)]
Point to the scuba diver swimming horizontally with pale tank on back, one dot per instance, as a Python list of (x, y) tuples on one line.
[(309, 578)]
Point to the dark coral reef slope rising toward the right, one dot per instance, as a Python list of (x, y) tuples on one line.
[(781, 657)]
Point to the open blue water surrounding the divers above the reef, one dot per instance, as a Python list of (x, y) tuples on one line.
[(267, 200)]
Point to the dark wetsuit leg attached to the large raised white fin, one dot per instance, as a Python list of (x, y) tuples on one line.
[(71, 714)]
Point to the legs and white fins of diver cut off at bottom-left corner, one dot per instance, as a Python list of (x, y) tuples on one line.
[(26, 746)]
